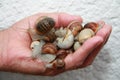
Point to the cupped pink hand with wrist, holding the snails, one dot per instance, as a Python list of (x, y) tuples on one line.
[(15, 52)]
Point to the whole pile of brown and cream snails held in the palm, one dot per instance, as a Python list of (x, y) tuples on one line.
[(52, 45)]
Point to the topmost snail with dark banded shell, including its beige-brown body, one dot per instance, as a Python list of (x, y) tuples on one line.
[(44, 30)]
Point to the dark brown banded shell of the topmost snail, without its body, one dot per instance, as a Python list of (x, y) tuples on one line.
[(44, 25)]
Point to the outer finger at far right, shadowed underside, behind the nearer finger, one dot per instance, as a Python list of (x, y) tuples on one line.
[(104, 33)]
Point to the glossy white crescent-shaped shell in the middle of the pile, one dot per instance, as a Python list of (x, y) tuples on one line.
[(66, 41)]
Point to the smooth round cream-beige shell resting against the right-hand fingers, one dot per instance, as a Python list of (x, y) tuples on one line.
[(85, 34)]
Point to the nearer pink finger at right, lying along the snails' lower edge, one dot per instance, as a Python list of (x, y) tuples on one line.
[(76, 59)]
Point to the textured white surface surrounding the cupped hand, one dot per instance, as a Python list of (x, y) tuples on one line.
[(106, 65)]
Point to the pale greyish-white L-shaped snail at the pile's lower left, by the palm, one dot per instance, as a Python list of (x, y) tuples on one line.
[(37, 52)]
